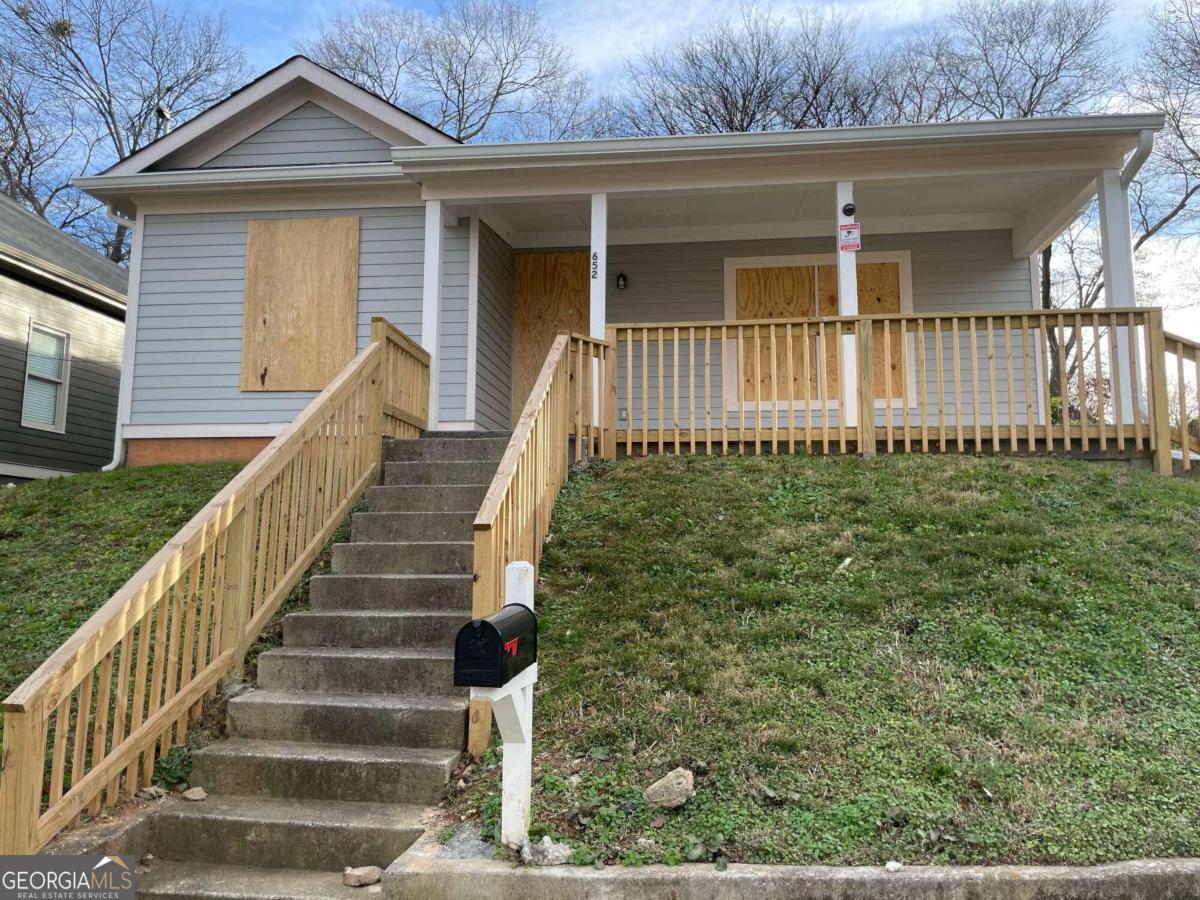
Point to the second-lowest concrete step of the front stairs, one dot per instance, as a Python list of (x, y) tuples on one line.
[(285, 833)]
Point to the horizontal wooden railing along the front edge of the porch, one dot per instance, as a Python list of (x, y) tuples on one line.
[(1022, 381)]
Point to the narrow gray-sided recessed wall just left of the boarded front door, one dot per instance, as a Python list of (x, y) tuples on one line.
[(494, 363)]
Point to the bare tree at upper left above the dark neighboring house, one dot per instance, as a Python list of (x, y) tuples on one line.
[(89, 79)]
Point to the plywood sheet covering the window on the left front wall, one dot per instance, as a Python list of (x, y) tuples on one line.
[(325, 307)]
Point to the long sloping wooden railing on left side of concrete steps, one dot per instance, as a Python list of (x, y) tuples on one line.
[(92, 722)]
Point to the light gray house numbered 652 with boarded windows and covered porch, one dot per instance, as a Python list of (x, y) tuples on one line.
[(275, 225)]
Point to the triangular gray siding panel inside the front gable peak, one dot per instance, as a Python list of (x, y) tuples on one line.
[(307, 136)]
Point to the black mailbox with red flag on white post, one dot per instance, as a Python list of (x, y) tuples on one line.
[(488, 653)]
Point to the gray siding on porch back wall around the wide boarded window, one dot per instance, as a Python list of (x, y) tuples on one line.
[(681, 283)]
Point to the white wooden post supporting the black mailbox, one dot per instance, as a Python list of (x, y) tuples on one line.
[(513, 709)]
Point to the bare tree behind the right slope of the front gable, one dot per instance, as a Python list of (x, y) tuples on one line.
[(477, 69)]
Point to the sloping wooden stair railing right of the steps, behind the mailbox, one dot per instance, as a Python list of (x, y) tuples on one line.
[(571, 398)]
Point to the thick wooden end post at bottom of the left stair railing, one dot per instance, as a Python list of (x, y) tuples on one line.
[(21, 779)]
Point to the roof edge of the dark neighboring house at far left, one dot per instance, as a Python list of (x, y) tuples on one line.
[(33, 247)]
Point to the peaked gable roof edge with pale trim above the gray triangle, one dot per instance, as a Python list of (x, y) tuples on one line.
[(241, 107)]
